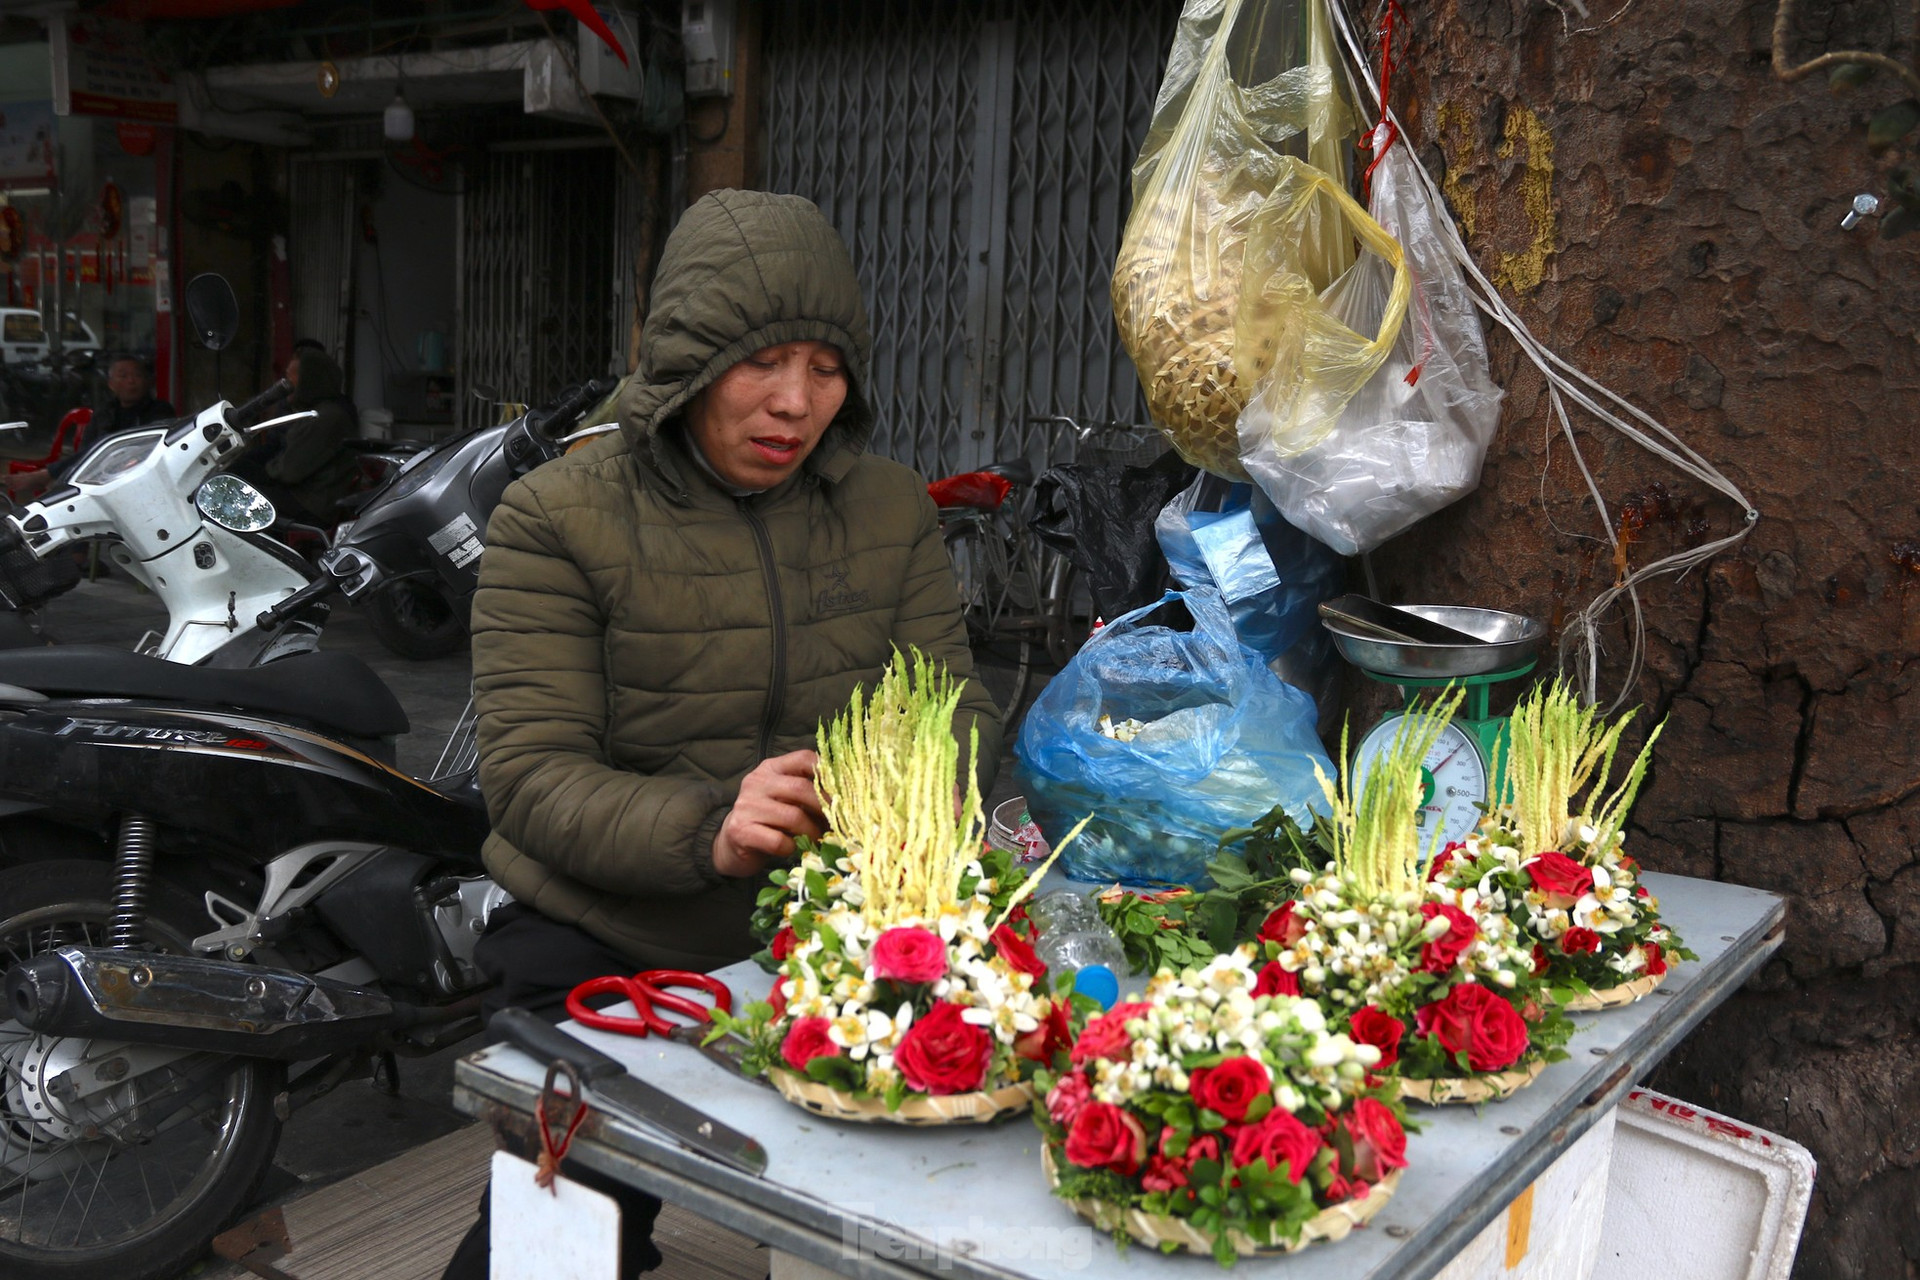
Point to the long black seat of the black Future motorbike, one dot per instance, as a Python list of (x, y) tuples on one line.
[(333, 690)]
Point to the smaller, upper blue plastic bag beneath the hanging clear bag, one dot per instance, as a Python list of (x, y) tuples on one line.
[(1272, 577)]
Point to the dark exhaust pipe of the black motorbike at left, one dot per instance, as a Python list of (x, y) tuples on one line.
[(191, 1003)]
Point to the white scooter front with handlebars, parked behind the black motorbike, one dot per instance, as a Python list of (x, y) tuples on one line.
[(183, 531)]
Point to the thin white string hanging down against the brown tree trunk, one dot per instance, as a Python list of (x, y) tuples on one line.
[(1581, 642)]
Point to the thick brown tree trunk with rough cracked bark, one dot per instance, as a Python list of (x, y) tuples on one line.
[(1668, 214)]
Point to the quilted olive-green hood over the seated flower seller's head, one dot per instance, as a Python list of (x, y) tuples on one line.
[(746, 272)]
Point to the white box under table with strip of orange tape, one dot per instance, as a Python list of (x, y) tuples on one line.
[(1552, 1229)]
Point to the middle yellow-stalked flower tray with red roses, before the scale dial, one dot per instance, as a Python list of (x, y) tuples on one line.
[(1429, 974)]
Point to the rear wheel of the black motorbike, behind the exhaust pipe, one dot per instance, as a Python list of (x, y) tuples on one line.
[(132, 1181)]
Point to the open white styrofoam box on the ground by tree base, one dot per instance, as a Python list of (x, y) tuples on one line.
[(1702, 1197)]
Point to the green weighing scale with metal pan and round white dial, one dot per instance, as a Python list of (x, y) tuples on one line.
[(1493, 648)]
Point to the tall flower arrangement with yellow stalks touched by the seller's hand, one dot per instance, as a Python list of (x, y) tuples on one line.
[(907, 991)]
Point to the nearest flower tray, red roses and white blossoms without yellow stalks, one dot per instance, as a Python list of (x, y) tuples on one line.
[(1220, 1120)]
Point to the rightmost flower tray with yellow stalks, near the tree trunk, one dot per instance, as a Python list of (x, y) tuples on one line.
[(1558, 866)]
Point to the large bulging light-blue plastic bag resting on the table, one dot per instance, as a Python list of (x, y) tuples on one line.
[(1222, 742)]
